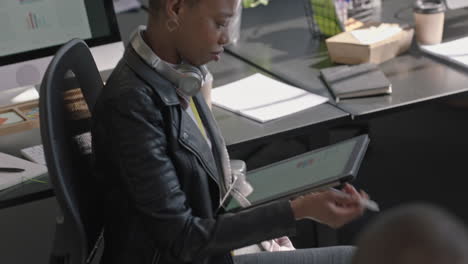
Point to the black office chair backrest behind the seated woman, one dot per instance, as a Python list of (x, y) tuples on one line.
[(65, 126)]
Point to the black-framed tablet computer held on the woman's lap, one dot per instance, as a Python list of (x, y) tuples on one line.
[(321, 168)]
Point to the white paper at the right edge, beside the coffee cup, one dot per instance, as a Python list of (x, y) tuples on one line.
[(455, 51)]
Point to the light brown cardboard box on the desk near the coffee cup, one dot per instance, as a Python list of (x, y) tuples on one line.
[(345, 48)]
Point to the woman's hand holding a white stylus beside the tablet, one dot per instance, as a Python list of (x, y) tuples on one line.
[(331, 207)]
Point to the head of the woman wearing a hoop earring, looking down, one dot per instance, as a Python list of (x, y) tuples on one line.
[(193, 30)]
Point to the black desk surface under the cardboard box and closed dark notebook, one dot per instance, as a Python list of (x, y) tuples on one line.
[(276, 38)]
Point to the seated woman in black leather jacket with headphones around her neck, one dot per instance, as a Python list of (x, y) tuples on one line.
[(164, 162)]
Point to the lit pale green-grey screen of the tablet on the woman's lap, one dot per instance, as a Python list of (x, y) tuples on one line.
[(310, 169)]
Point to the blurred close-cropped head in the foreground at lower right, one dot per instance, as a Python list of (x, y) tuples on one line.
[(413, 234)]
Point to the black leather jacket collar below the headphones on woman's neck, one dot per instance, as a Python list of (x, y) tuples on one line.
[(166, 90)]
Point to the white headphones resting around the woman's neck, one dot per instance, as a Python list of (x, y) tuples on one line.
[(187, 77)]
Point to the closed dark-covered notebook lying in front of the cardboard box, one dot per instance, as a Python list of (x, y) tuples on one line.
[(355, 81)]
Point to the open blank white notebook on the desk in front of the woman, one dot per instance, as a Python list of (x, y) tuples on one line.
[(263, 99)]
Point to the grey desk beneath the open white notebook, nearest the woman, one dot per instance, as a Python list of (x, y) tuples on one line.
[(238, 131)]
